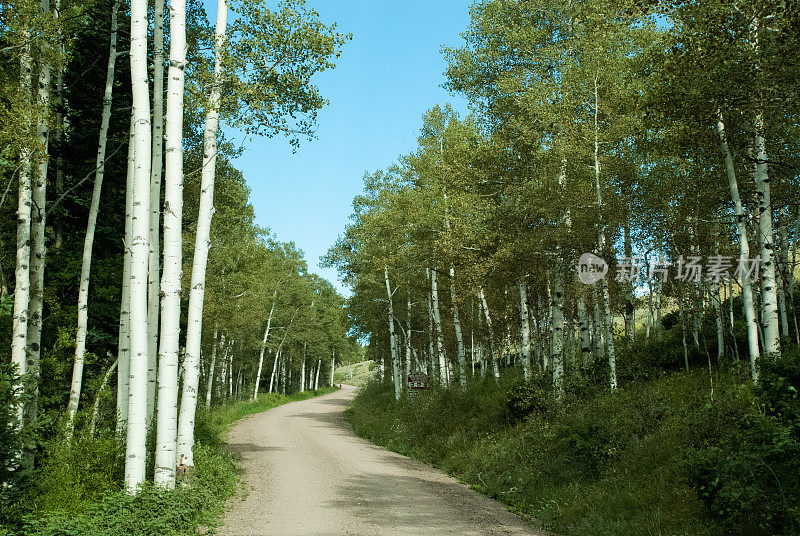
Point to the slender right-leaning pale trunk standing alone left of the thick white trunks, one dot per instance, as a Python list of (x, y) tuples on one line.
[(88, 241)]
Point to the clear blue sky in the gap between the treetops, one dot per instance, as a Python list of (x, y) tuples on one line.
[(389, 74)]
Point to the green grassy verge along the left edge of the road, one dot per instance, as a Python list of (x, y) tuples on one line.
[(77, 494)]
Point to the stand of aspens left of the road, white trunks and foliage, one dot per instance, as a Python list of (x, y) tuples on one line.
[(139, 279)]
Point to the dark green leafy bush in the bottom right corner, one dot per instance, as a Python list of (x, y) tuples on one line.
[(745, 465)]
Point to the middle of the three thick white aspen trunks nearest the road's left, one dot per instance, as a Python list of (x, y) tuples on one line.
[(167, 421)]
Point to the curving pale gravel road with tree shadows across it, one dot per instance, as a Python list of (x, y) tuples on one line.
[(306, 473)]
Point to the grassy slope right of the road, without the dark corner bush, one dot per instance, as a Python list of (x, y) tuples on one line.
[(608, 464)]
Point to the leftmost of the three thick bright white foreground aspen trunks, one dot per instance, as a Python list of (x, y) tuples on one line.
[(136, 448)]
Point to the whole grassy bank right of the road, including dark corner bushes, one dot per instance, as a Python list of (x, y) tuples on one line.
[(655, 458)]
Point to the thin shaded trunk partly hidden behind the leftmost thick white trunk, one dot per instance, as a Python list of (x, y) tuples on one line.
[(124, 339)]
